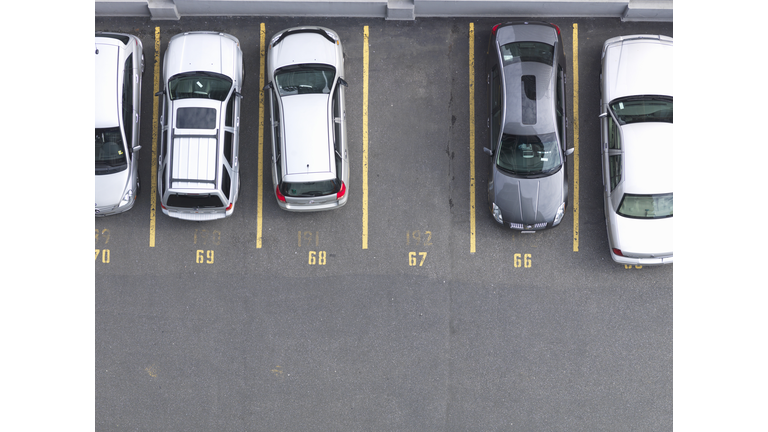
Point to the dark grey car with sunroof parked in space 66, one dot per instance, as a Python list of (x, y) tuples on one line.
[(528, 188)]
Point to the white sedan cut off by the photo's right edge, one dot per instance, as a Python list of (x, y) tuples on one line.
[(636, 131)]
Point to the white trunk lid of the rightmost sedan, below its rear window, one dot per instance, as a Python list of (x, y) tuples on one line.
[(643, 236)]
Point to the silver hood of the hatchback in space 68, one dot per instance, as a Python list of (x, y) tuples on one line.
[(303, 48)]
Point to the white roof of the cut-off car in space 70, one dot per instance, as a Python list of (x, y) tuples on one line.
[(108, 82)]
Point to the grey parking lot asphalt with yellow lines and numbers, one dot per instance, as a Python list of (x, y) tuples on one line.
[(414, 312)]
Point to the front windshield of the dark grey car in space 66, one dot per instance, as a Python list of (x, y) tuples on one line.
[(529, 155)]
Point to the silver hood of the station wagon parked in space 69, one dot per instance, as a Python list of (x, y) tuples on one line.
[(204, 51)]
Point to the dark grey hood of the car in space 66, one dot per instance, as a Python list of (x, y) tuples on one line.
[(528, 201)]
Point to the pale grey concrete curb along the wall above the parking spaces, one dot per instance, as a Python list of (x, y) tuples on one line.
[(627, 10)]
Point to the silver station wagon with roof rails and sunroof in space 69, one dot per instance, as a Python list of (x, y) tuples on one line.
[(199, 173)]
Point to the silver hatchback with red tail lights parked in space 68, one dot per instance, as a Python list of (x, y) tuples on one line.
[(305, 73)]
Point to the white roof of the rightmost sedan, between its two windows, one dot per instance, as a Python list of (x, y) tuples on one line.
[(647, 157)]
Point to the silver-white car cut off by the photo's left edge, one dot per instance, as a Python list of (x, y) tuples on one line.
[(119, 67)]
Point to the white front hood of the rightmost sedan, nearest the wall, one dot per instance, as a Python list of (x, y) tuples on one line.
[(637, 65)]
